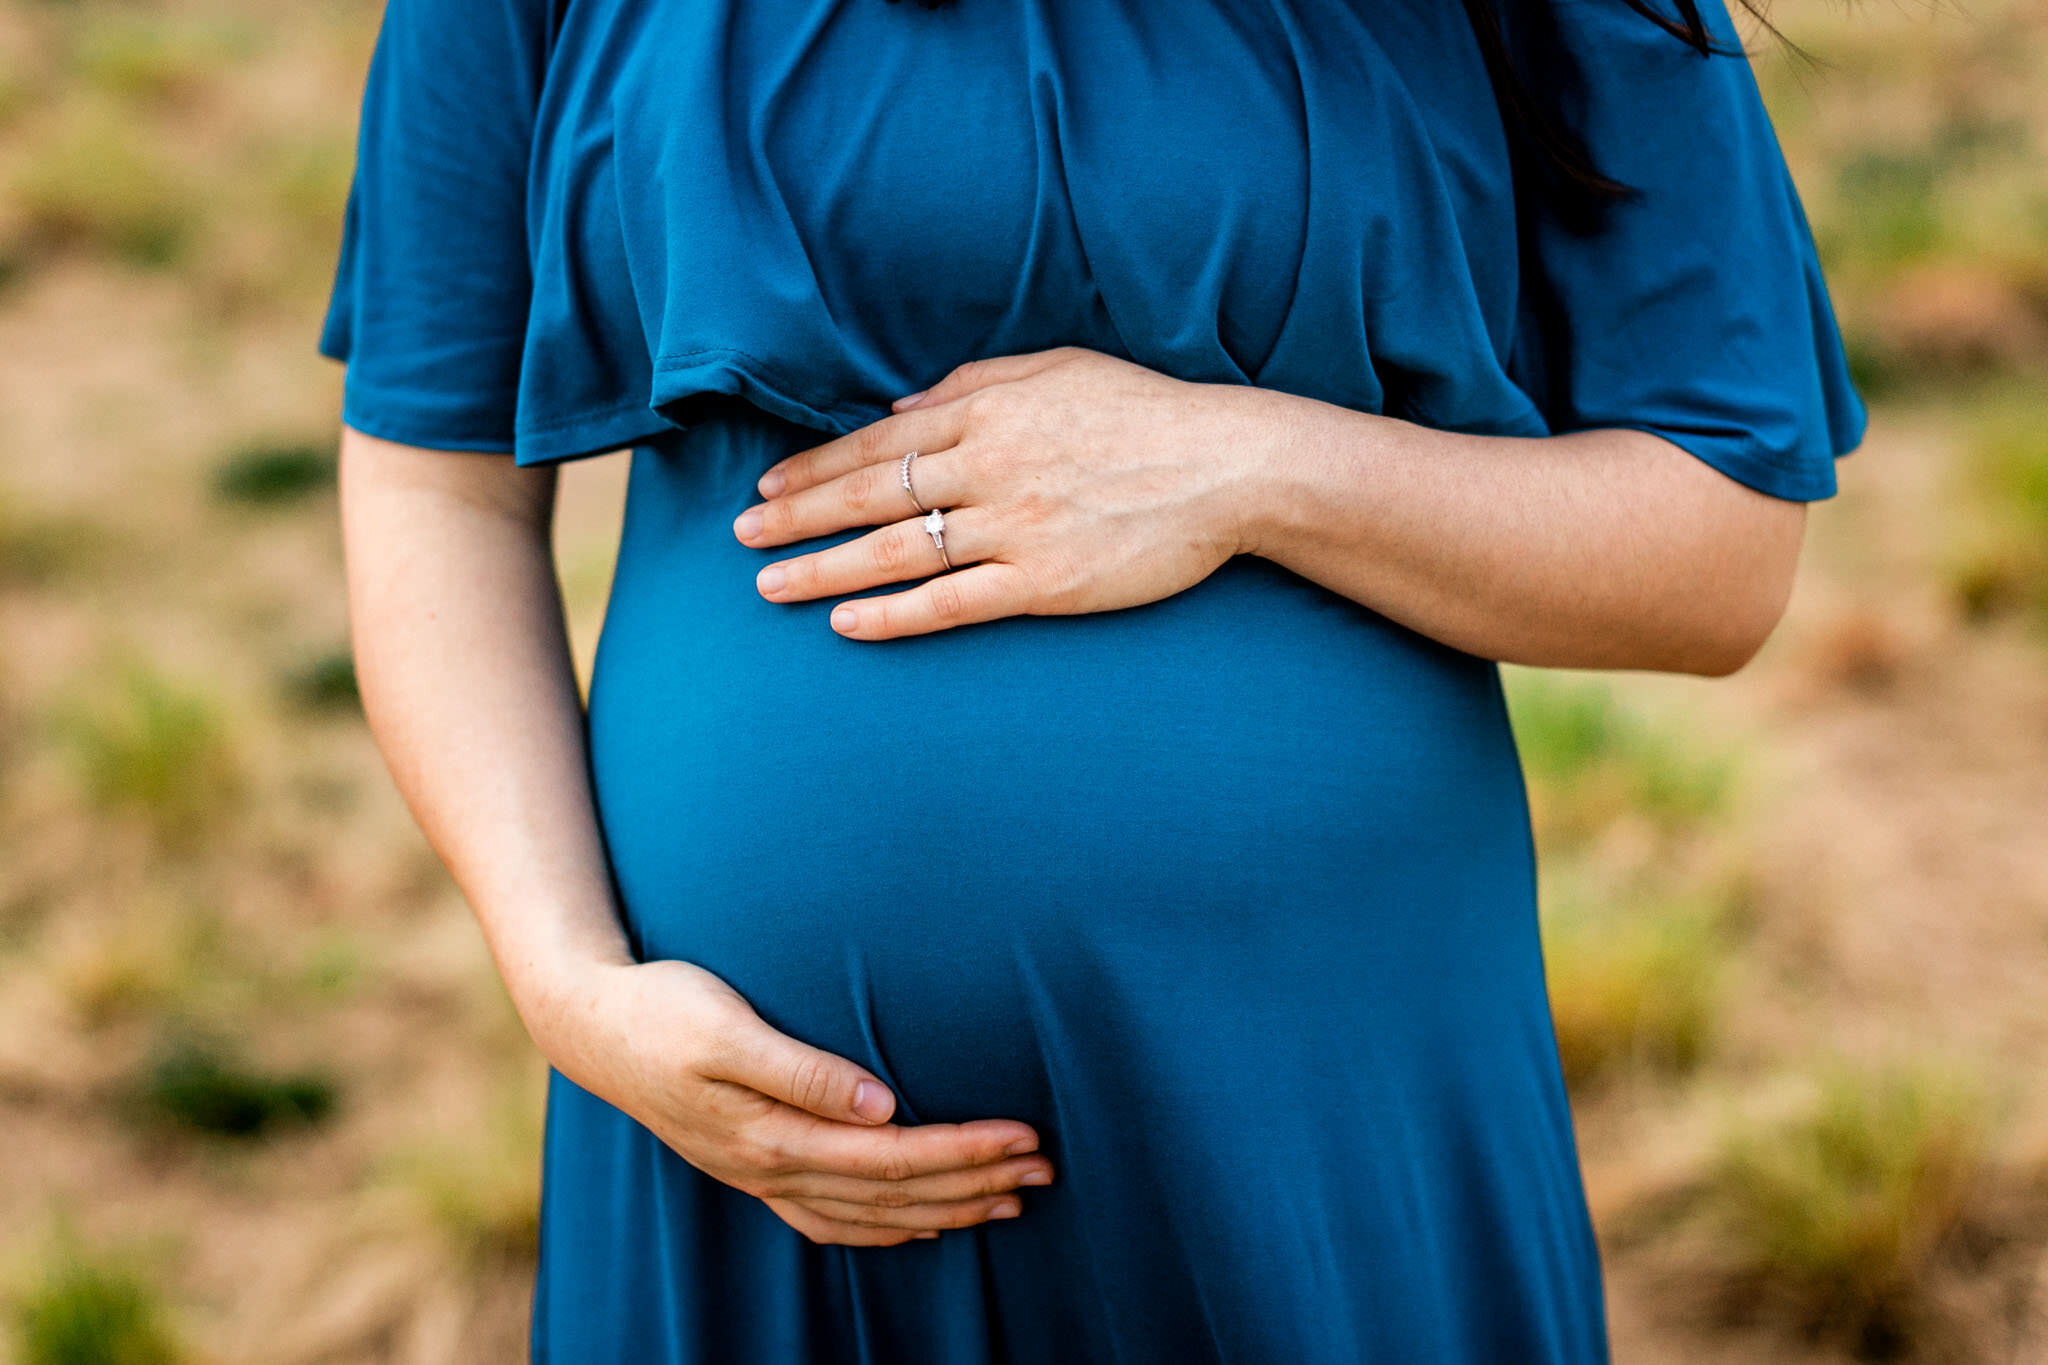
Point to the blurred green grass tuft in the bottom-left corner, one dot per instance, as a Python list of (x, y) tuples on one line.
[(93, 1313)]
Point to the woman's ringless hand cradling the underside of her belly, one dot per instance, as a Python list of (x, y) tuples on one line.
[(802, 1129)]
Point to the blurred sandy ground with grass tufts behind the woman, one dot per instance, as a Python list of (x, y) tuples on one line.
[(265, 1102)]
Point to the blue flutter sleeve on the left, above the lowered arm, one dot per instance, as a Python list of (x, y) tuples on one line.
[(433, 283)]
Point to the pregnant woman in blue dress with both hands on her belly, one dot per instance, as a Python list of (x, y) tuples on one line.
[(1046, 873)]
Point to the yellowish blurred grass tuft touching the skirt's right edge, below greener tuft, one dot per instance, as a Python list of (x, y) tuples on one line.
[(1633, 981)]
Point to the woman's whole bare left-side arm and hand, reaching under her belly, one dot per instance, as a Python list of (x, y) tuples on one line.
[(466, 674)]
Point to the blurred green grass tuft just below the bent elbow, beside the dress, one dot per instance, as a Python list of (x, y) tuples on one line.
[(1592, 762)]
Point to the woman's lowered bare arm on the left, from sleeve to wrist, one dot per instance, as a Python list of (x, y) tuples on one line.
[(468, 682)]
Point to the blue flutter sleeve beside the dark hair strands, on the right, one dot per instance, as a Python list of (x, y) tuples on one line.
[(1697, 310)]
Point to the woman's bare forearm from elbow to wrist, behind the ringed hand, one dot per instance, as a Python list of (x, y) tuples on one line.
[(1607, 549)]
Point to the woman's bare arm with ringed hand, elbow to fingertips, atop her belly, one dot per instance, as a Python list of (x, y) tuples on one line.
[(1076, 482)]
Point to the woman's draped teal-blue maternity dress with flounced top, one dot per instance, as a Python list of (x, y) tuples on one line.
[(1230, 895)]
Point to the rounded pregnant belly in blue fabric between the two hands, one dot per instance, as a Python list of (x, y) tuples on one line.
[(953, 856)]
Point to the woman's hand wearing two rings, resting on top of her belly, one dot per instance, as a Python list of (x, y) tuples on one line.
[(1072, 482)]
